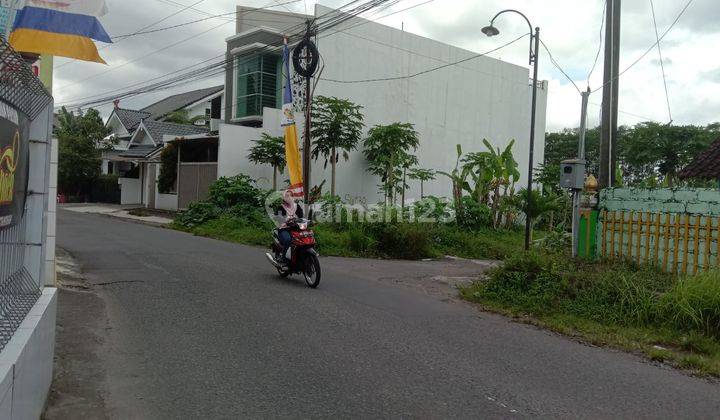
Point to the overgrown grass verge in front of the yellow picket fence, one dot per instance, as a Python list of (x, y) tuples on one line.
[(665, 318)]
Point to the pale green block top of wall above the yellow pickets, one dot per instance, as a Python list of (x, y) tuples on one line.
[(701, 201)]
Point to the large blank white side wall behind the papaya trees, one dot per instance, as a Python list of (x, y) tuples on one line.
[(480, 98)]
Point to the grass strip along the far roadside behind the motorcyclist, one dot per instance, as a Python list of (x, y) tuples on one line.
[(403, 241)]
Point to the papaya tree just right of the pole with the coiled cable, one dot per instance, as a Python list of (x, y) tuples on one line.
[(337, 127)]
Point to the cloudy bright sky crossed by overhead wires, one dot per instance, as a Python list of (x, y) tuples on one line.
[(569, 28)]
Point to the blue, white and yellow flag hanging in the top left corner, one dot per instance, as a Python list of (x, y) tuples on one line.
[(64, 28)]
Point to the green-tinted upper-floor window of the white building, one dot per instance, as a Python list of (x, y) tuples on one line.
[(258, 84)]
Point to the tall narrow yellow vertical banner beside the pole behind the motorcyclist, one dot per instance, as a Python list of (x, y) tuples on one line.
[(292, 153)]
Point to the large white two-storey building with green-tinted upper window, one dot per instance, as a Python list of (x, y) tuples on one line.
[(458, 104)]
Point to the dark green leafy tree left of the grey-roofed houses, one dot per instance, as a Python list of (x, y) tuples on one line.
[(81, 140)]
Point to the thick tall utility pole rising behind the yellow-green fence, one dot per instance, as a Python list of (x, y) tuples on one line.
[(608, 126)]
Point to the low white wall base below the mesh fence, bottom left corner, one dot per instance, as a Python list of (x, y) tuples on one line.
[(26, 363)]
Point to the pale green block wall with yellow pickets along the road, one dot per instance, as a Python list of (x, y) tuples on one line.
[(677, 229)]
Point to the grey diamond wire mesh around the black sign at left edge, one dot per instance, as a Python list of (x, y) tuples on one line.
[(20, 90)]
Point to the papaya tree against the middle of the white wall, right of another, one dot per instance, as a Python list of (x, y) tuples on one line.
[(386, 150)]
